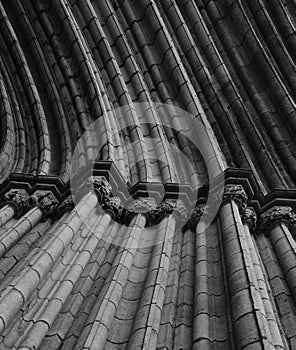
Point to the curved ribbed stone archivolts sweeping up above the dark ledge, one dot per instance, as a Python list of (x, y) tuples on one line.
[(68, 63)]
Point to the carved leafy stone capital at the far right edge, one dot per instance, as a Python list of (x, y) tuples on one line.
[(274, 216)]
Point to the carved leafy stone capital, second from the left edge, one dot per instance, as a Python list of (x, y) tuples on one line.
[(46, 201)]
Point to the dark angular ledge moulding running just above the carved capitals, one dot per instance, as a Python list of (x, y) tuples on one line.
[(258, 200)]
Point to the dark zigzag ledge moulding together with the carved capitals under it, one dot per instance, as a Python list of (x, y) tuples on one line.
[(123, 201)]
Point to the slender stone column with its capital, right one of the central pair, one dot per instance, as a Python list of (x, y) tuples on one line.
[(147, 321)]
